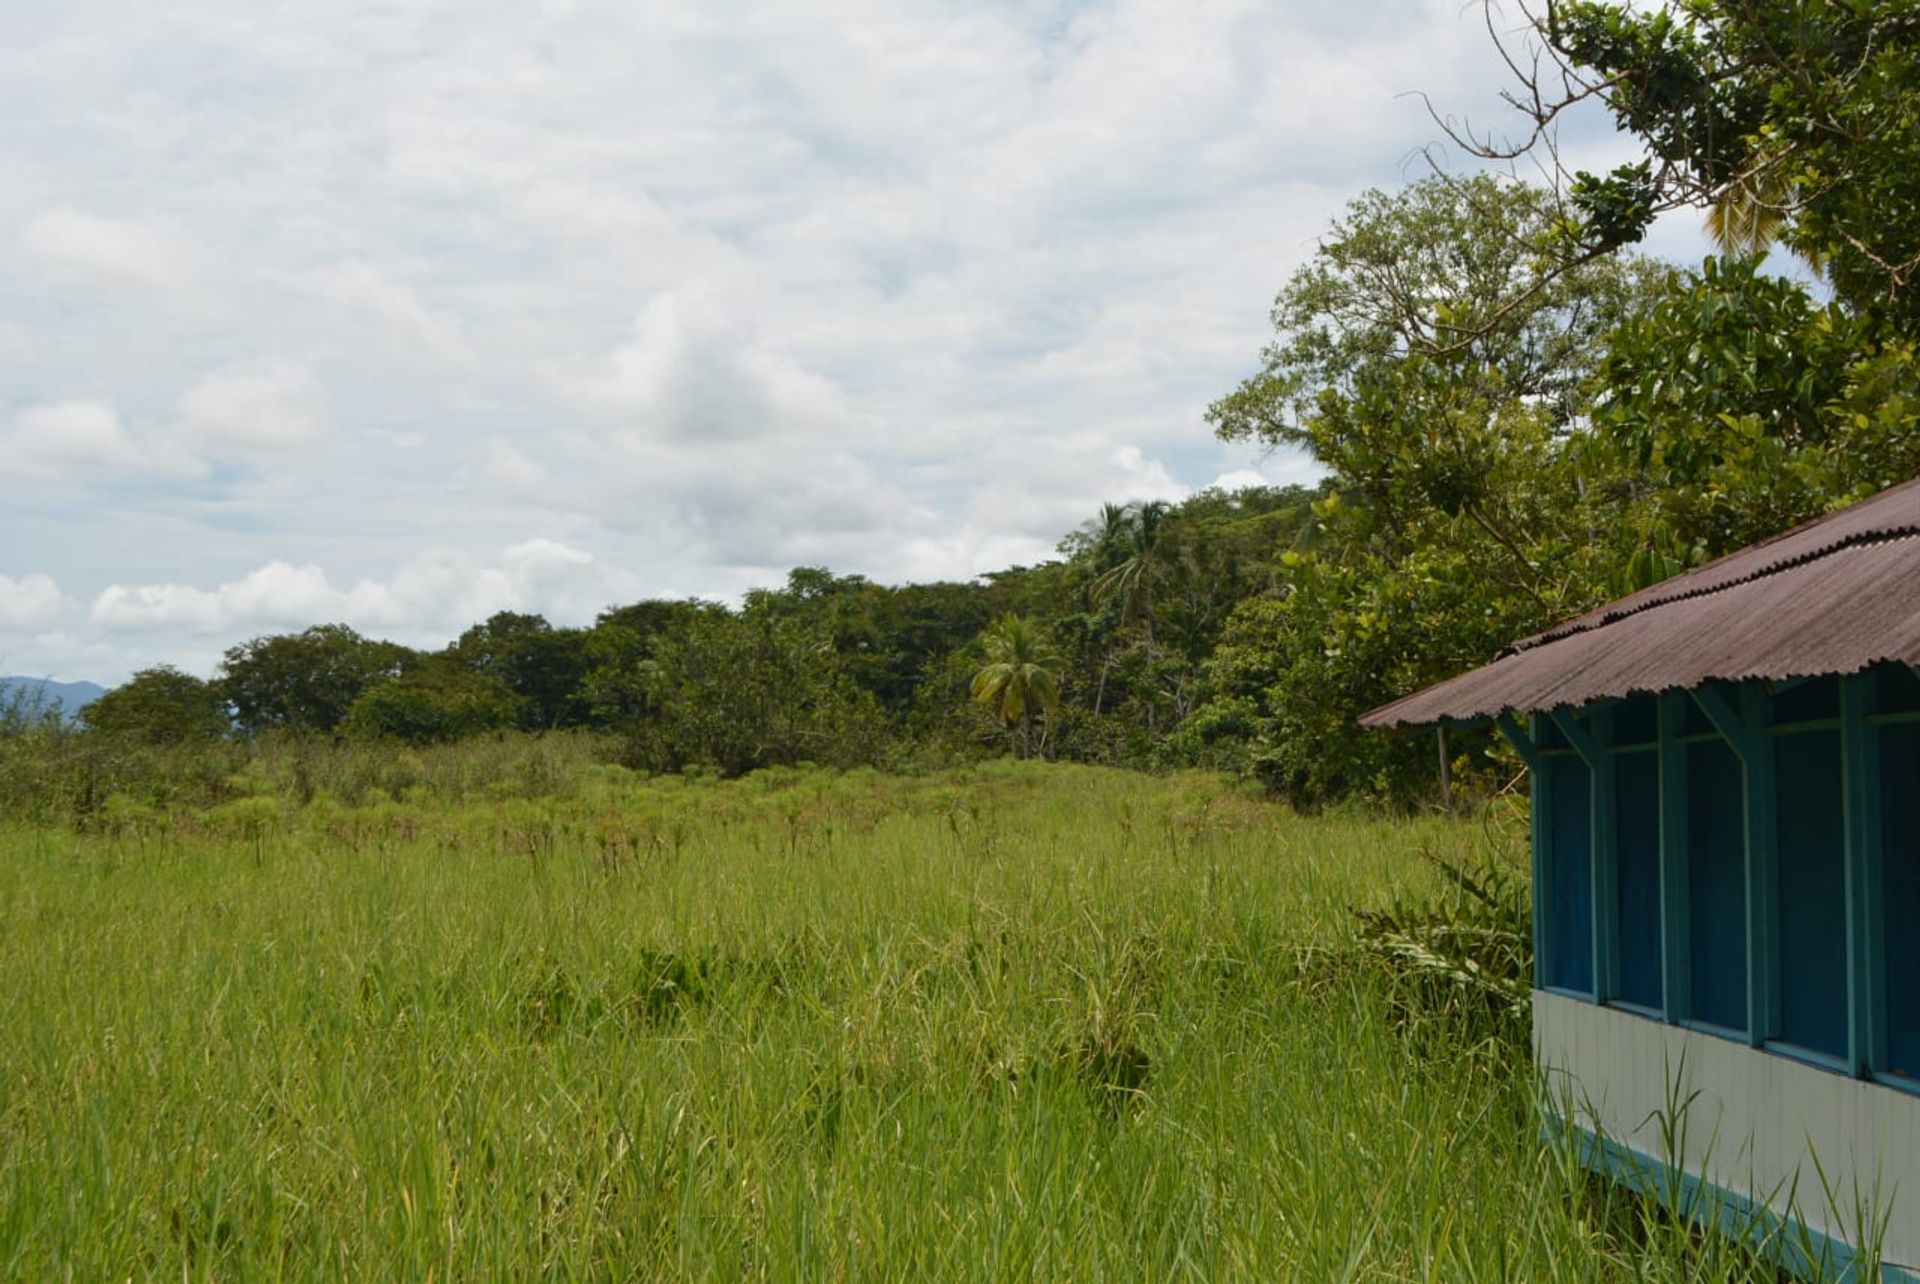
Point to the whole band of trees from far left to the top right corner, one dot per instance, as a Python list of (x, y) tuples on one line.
[(1516, 414)]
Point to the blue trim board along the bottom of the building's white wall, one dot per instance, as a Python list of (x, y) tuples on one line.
[(1790, 1245)]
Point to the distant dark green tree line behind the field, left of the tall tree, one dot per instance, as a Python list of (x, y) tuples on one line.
[(1101, 655)]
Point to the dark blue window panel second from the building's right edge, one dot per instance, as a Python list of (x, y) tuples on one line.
[(1812, 892)]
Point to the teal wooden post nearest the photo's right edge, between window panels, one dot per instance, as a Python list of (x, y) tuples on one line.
[(1860, 755)]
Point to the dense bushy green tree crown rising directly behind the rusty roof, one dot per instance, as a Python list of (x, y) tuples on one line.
[(1739, 408)]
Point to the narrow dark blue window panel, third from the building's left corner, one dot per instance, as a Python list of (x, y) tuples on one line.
[(1717, 886)]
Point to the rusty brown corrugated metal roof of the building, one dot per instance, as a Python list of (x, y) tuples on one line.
[(1827, 598)]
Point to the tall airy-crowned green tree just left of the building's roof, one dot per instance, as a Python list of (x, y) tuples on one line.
[(1449, 400)]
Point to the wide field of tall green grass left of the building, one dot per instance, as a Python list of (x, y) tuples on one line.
[(1019, 1022)]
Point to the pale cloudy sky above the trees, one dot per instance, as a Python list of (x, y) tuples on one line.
[(406, 314)]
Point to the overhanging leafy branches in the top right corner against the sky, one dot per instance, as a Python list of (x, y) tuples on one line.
[(1796, 120)]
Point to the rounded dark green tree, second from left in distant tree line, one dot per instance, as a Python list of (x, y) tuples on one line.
[(306, 682)]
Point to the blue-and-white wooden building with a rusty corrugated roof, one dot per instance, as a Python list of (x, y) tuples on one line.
[(1727, 882)]
